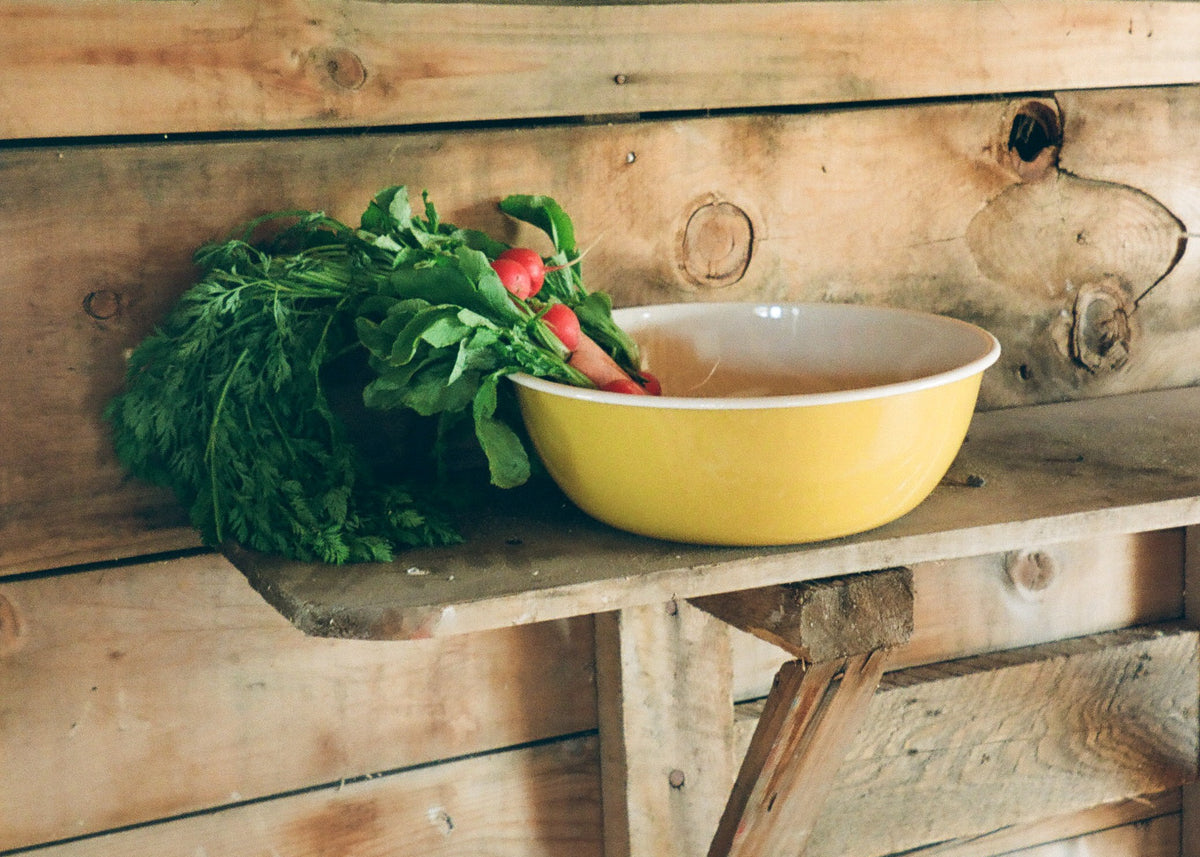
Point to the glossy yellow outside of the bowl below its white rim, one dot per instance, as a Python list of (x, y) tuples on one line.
[(752, 477)]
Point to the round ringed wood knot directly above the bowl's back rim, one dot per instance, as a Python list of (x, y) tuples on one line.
[(717, 245)]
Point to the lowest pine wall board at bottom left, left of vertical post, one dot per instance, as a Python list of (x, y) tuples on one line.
[(541, 801)]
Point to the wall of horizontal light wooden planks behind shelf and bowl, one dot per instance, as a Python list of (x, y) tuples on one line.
[(152, 704)]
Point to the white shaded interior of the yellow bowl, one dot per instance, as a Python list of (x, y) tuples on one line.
[(753, 351)]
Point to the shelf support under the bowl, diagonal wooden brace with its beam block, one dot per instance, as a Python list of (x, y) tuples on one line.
[(843, 631)]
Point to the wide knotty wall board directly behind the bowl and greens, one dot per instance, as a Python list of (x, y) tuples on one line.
[(82, 290)]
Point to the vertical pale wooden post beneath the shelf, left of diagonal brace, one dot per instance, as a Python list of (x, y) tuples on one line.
[(667, 728)]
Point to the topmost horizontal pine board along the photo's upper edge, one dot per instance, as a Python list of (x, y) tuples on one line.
[(122, 68)]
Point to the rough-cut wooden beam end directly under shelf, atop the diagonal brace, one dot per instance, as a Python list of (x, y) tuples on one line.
[(824, 620)]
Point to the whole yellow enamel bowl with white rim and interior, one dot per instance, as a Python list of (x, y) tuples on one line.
[(779, 424)]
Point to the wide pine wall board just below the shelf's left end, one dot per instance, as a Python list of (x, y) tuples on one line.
[(137, 693)]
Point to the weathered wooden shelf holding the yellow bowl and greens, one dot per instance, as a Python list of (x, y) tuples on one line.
[(1025, 477)]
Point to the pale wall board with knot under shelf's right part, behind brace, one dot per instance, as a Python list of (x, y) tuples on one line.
[(1039, 594)]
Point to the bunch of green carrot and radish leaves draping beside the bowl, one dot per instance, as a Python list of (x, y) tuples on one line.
[(235, 401)]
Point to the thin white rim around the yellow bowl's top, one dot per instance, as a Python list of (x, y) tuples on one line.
[(989, 352)]
